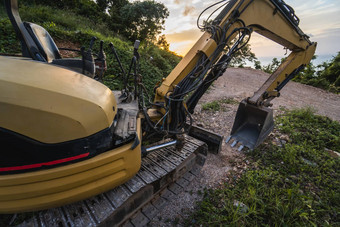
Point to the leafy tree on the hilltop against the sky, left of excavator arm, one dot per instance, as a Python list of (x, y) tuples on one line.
[(143, 20)]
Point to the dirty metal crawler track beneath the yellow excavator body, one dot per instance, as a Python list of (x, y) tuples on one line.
[(162, 175)]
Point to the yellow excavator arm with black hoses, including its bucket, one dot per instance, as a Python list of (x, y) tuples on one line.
[(207, 60)]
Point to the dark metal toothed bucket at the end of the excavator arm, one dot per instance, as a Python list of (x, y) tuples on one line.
[(251, 126)]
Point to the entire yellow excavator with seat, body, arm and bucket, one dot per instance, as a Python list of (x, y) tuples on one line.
[(66, 137)]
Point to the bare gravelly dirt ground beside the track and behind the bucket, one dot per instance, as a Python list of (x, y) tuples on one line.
[(238, 84)]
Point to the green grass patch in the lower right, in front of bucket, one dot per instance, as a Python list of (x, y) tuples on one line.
[(296, 184)]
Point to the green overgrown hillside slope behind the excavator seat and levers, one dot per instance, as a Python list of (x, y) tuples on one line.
[(63, 25)]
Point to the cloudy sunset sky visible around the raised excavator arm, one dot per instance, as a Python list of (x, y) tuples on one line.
[(320, 19)]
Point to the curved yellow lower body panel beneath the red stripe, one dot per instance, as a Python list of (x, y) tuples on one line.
[(63, 185)]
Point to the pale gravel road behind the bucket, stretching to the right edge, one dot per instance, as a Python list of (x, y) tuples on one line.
[(242, 83)]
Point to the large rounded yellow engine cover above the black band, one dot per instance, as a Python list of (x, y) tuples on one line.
[(52, 104)]
